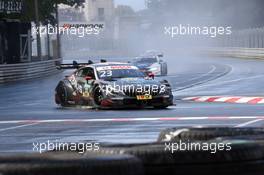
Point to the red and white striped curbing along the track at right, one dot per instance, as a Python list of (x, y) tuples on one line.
[(227, 99)]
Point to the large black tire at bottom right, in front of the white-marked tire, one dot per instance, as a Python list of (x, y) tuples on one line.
[(245, 158)]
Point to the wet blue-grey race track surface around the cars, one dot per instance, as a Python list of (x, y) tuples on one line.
[(29, 114)]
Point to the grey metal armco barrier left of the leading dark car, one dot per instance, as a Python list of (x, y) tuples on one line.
[(24, 71)]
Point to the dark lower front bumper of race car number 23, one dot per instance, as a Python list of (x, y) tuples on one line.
[(131, 102)]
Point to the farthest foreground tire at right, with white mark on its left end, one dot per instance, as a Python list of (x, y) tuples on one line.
[(201, 134)]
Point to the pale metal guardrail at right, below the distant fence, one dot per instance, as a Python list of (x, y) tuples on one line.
[(237, 52)]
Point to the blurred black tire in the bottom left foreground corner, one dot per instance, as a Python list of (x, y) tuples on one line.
[(69, 163)]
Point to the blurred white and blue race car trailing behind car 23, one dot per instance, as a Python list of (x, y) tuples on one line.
[(151, 62)]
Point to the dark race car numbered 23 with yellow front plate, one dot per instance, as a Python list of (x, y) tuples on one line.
[(111, 85)]
